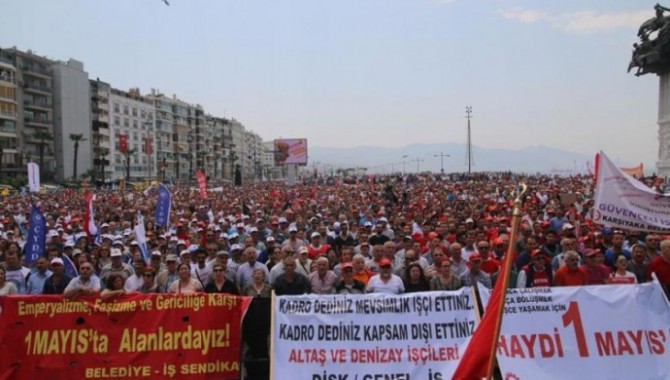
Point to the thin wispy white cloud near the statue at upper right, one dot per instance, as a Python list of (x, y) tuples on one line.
[(579, 22)]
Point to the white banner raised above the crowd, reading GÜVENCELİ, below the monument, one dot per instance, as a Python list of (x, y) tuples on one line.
[(622, 201)]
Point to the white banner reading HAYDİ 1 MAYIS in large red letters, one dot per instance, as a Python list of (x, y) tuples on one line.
[(604, 332)]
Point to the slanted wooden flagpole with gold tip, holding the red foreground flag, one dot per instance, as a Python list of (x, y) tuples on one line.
[(516, 217)]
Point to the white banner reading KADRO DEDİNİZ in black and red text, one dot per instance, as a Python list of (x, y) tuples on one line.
[(375, 336)]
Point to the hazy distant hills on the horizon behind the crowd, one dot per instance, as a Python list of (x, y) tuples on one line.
[(531, 159)]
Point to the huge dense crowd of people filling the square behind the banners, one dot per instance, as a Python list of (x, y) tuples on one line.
[(384, 234)]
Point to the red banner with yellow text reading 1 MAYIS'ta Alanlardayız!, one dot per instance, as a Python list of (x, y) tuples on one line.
[(157, 336)]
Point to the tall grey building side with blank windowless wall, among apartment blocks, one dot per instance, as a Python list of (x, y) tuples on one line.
[(72, 120)]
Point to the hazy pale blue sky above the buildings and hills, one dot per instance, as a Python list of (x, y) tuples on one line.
[(384, 73)]
